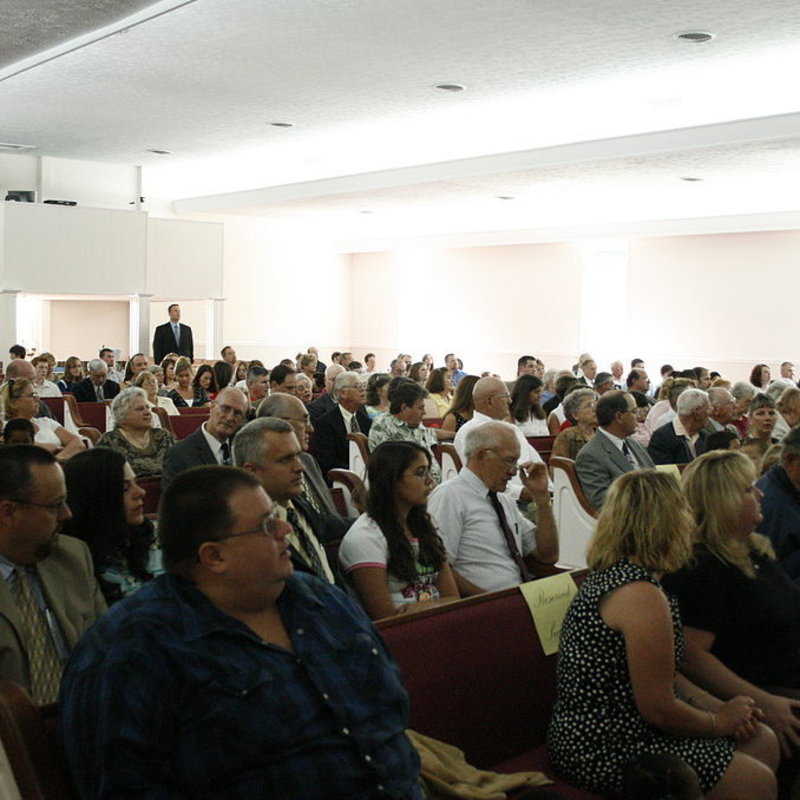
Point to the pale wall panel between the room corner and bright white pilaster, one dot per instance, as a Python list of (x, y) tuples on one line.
[(488, 304)]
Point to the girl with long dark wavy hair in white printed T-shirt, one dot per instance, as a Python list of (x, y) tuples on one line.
[(392, 554)]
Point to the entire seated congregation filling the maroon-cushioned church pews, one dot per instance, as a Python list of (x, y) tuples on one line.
[(237, 581)]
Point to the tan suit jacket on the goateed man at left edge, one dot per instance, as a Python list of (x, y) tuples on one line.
[(73, 595)]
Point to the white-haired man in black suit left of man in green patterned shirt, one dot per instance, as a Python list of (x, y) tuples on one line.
[(329, 443)]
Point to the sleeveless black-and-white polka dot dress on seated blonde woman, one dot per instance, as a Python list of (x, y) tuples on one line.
[(596, 727)]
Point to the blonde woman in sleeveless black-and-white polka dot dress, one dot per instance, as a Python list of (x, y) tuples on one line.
[(619, 691)]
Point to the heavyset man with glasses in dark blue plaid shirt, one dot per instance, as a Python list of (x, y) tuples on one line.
[(232, 677)]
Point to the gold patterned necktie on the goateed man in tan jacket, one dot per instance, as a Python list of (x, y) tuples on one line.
[(44, 664)]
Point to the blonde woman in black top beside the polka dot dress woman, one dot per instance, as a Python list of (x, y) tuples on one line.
[(741, 612)]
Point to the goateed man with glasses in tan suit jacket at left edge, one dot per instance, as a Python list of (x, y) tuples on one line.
[(48, 593)]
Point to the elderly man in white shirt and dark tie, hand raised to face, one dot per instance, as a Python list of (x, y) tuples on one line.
[(489, 543)]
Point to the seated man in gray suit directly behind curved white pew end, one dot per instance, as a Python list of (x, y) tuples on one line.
[(611, 451)]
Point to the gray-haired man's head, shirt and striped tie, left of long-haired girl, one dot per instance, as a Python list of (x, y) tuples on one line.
[(269, 449)]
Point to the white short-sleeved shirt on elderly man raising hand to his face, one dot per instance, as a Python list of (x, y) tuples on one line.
[(471, 531)]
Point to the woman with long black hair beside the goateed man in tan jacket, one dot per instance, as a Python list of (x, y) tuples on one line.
[(107, 508)]
